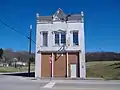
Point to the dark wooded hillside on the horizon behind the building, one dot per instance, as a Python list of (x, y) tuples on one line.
[(90, 56)]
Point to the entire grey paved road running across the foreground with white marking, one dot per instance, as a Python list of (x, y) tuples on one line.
[(19, 83)]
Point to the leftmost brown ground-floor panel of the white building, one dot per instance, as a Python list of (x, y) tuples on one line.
[(45, 65)]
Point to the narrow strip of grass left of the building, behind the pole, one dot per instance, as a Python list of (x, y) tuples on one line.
[(13, 69)]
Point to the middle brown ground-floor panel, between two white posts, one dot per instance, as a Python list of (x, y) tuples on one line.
[(59, 65)]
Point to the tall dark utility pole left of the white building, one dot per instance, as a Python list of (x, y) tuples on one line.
[(29, 50)]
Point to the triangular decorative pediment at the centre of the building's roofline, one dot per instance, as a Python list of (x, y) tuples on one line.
[(59, 15)]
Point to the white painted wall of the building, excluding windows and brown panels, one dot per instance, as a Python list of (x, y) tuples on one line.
[(68, 27)]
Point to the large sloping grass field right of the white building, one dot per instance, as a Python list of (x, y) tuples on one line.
[(107, 69)]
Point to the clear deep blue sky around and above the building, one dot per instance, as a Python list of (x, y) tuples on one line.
[(102, 21)]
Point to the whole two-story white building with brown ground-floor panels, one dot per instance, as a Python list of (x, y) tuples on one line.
[(60, 48)]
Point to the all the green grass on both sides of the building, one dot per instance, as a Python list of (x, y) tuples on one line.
[(107, 69)]
